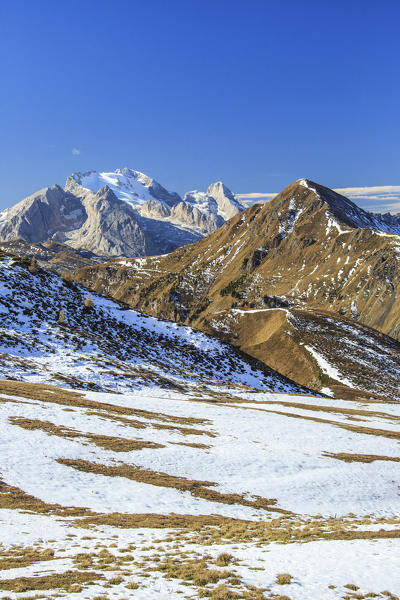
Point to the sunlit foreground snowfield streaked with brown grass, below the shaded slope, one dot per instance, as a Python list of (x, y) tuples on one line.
[(279, 495)]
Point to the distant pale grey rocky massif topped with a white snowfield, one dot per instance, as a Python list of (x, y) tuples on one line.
[(123, 213)]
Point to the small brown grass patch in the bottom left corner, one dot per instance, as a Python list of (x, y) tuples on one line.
[(66, 581)]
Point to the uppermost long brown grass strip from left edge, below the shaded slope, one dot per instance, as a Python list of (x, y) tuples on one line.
[(55, 395)]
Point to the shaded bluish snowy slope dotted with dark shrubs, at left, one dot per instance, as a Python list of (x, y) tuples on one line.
[(106, 346)]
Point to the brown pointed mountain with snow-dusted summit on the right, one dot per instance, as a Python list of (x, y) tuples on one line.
[(308, 249)]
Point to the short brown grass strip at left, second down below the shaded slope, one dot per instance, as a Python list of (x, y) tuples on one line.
[(107, 442)]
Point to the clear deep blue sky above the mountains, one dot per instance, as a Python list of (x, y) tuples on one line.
[(254, 92)]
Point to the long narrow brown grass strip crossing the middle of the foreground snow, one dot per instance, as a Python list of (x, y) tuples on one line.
[(195, 487)]
